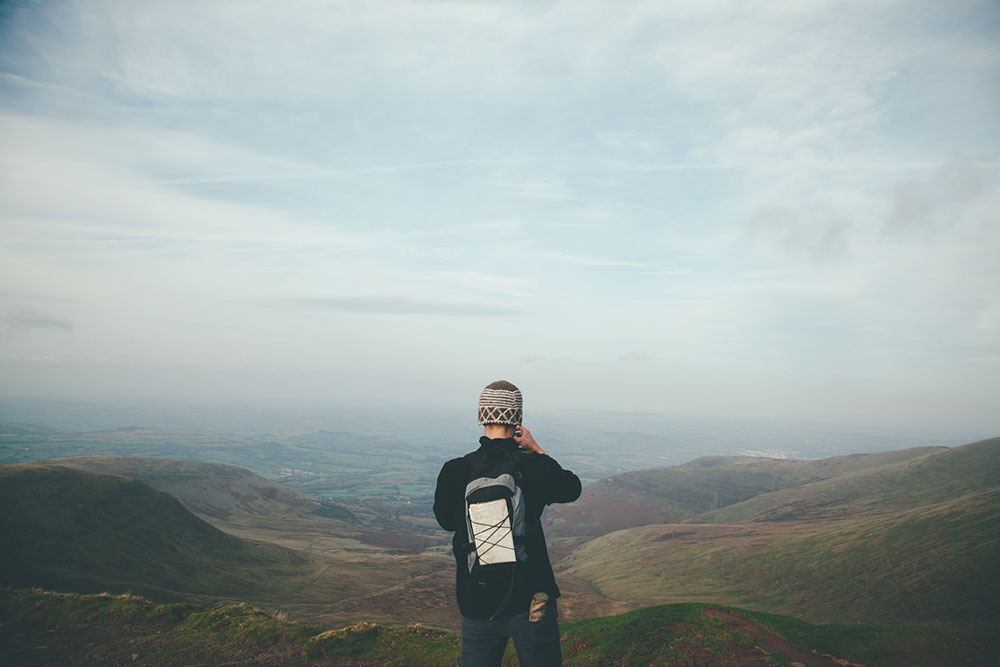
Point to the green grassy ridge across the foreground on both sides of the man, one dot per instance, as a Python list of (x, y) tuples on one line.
[(43, 628)]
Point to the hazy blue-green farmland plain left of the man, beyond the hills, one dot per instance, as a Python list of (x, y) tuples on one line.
[(377, 476)]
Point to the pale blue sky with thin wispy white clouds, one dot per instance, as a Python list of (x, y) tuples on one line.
[(693, 207)]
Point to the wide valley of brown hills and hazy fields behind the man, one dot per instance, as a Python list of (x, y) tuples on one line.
[(900, 536)]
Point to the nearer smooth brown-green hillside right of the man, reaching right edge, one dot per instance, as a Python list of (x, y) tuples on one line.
[(935, 562)]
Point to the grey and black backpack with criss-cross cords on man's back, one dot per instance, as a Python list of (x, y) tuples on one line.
[(494, 508)]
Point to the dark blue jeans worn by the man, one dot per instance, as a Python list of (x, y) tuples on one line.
[(537, 644)]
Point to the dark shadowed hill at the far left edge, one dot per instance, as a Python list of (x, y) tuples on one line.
[(75, 530)]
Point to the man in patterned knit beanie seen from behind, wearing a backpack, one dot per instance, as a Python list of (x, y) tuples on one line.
[(502, 597)]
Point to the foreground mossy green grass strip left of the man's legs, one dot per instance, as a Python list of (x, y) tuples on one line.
[(41, 628)]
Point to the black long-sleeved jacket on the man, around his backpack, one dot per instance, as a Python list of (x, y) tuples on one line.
[(543, 482)]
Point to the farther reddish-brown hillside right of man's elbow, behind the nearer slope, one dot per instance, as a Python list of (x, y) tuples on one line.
[(679, 493)]
